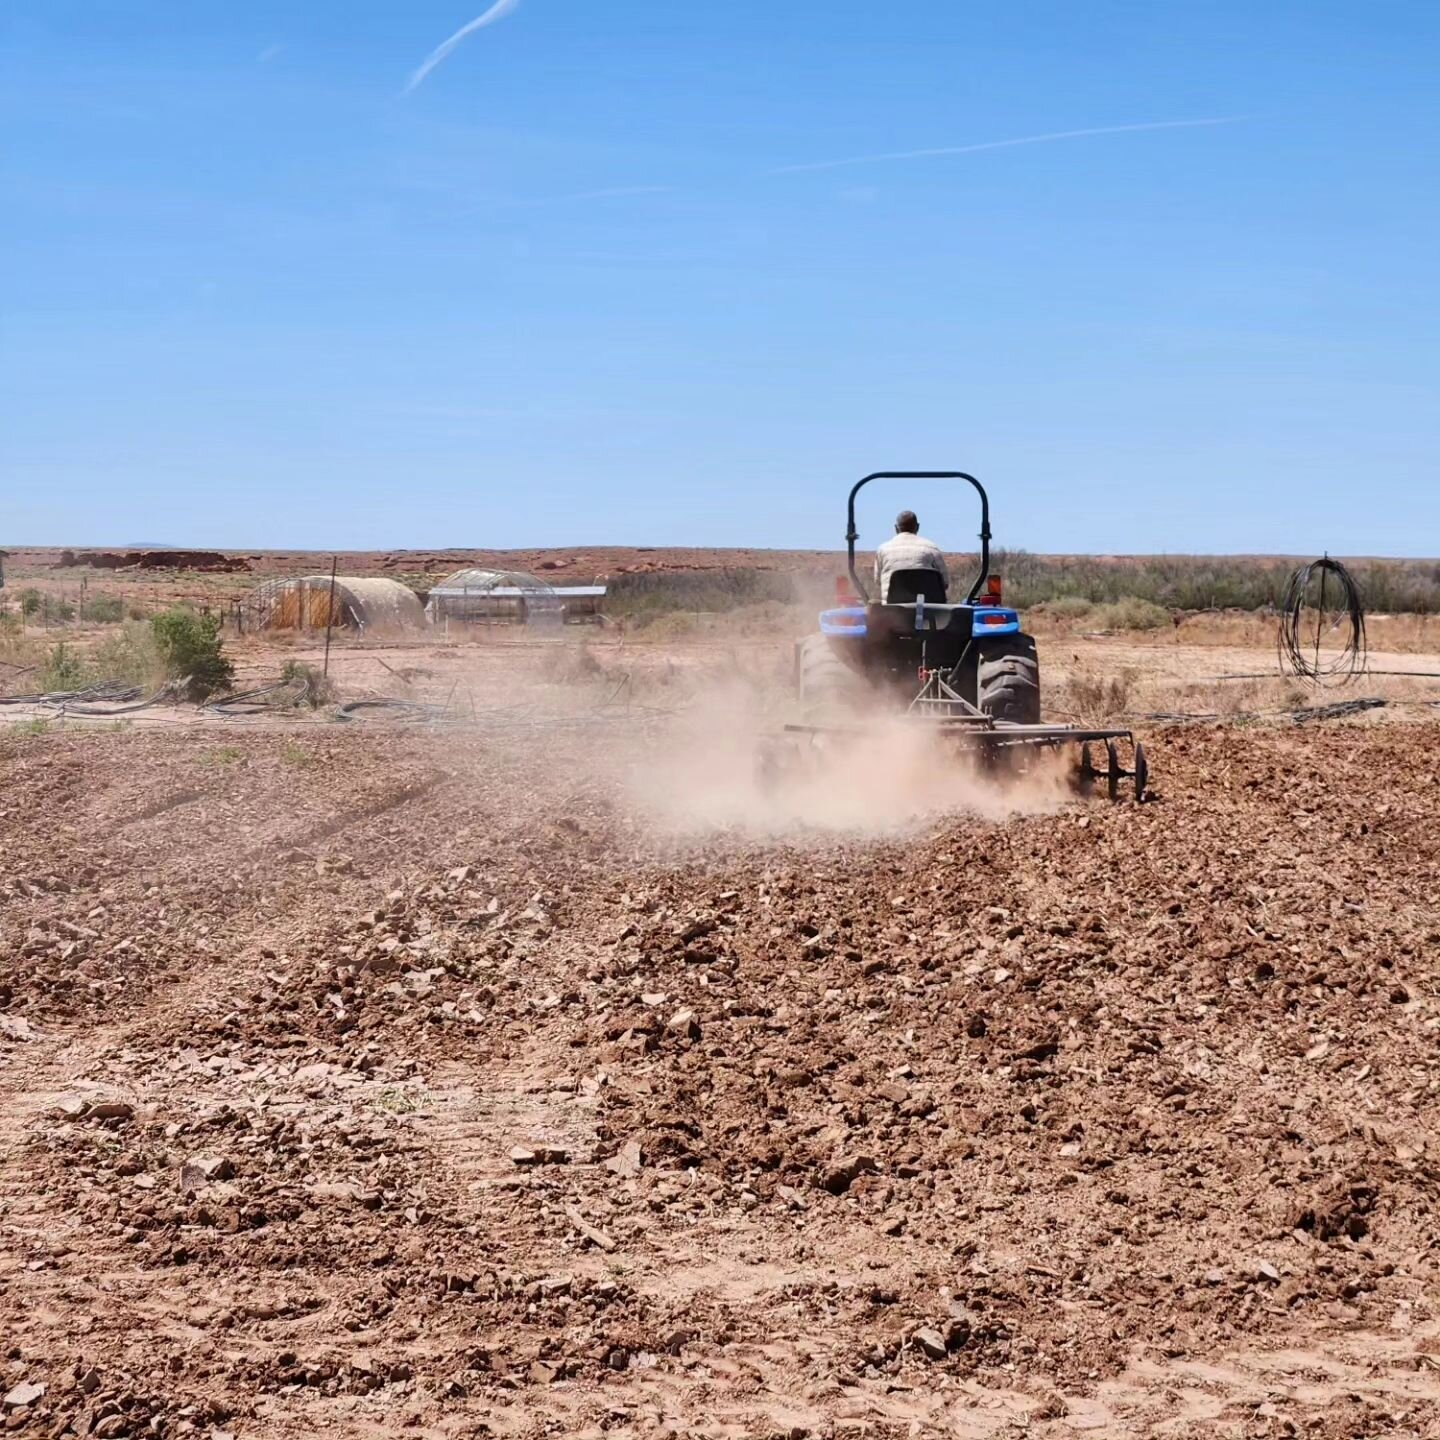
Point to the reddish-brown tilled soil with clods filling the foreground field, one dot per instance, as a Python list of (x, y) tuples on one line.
[(374, 1082)]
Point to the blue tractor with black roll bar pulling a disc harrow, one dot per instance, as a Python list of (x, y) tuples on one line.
[(963, 665)]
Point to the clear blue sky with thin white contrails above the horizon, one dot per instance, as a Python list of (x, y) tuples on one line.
[(570, 289)]
